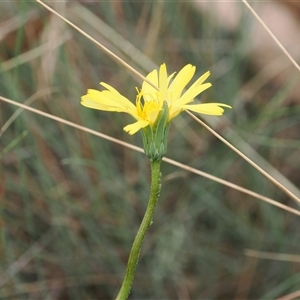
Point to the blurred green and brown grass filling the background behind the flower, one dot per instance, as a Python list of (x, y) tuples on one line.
[(71, 202)]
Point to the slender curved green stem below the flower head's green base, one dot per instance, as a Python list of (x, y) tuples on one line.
[(146, 223)]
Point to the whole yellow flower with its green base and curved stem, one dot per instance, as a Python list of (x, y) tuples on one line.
[(161, 98)]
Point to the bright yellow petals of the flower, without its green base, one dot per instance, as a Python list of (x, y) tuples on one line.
[(150, 102)]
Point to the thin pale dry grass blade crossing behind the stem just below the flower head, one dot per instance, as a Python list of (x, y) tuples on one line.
[(168, 160)]
